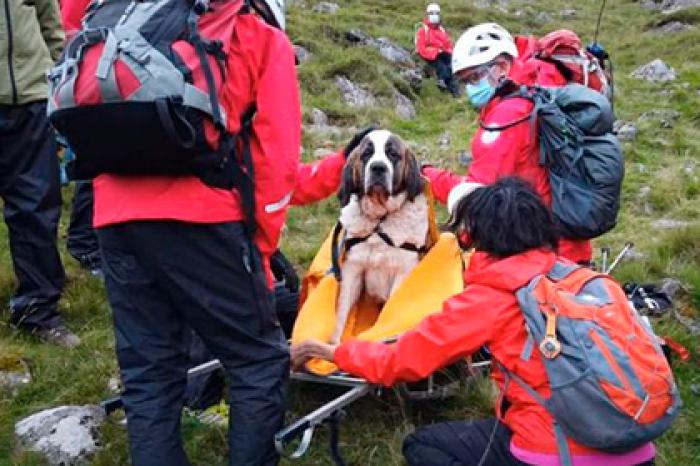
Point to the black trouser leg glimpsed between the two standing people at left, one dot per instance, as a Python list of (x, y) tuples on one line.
[(82, 240)]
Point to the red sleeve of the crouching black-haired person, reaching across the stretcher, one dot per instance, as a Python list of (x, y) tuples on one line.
[(466, 322)]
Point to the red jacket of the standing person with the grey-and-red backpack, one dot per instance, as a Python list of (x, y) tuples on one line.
[(261, 71)]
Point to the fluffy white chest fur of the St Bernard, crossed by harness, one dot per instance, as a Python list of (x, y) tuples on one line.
[(381, 266)]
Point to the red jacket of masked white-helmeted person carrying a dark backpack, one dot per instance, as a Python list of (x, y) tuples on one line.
[(511, 152)]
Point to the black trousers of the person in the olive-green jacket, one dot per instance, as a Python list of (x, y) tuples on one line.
[(30, 190)]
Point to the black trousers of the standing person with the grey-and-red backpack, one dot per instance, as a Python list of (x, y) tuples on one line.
[(165, 278)]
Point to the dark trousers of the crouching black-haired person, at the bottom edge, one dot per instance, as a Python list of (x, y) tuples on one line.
[(462, 443)]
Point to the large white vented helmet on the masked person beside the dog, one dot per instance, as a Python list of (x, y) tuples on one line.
[(480, 44)]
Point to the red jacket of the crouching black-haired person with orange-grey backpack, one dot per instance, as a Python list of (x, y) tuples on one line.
[(485, 313)]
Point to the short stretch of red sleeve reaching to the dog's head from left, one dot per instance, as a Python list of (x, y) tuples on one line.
[(316, 181)]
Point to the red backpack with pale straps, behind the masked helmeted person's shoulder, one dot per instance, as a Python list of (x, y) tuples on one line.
[(564, 49)]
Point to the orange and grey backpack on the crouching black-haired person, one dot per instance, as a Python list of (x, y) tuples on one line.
[(611, 386)]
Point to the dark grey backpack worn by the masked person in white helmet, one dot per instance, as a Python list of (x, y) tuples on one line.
[(583, 158)]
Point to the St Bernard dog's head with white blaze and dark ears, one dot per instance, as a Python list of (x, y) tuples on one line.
[(381, 166)]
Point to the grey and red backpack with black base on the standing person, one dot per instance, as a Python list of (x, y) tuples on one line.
[(139, 90)]
